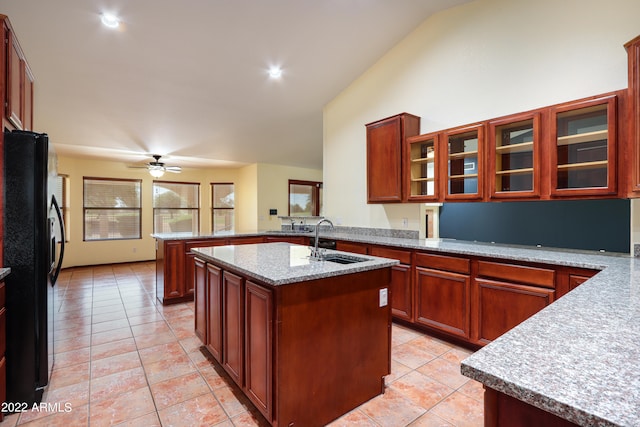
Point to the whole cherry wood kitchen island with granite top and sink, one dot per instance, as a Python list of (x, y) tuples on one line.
[(306, 340)]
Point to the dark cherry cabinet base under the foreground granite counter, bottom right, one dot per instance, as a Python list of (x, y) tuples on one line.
[(501, 410)]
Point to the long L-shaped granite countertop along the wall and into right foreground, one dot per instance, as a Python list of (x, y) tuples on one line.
[(577, 358)]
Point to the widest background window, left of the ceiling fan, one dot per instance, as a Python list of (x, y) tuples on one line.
[(112, 209)]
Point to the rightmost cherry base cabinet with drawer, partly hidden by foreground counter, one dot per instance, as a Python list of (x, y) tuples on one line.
[(506, 295)]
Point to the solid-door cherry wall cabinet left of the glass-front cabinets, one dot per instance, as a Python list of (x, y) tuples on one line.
[(385, 147)]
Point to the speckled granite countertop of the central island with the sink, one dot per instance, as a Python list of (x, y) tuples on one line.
[(285, 263)]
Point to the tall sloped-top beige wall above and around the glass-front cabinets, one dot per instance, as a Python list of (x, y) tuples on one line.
[(480, 60)]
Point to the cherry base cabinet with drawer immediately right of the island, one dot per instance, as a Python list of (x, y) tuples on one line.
[(401, 281)]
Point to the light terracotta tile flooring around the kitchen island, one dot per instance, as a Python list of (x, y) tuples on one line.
[(122, 359)]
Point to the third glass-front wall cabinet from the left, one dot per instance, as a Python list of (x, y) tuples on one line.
[(514, 156)]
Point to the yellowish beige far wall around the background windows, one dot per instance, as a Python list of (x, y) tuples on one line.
[(249, 188)]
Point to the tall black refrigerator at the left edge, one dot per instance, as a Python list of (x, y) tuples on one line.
[(33, 237)]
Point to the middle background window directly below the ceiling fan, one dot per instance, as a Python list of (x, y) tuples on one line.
[(176, 207)]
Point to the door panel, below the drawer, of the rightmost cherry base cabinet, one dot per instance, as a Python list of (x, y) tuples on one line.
[(500, 306)]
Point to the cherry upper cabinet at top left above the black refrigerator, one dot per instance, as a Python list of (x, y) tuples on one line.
[(18, 94)]
